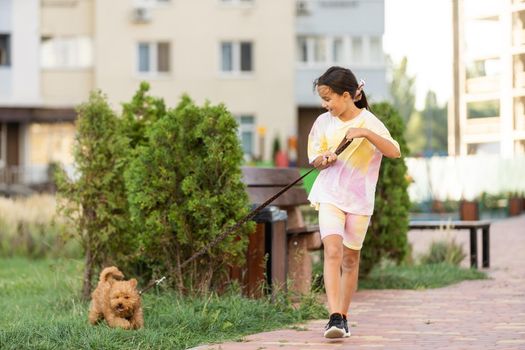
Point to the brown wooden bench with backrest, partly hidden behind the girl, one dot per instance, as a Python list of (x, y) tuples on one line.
[(263, 183)]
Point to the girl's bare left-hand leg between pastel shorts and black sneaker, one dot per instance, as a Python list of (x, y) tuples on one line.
[(333, 256)]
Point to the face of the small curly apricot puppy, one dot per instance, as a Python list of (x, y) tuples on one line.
[(124, 298)]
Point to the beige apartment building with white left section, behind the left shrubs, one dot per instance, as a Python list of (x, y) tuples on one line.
[(54, 52)]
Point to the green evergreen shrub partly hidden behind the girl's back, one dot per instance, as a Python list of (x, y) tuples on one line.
[(387, 233)]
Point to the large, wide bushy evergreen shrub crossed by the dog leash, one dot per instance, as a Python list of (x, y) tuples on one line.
[(184, 188)]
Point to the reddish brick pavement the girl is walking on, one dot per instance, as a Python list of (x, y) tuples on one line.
[(487, 314)]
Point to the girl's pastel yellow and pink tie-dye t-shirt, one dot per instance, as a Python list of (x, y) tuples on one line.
[(350, 182)]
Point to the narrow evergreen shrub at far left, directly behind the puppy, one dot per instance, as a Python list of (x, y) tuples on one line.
[(96, 201)]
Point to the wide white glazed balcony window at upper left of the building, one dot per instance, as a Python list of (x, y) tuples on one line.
[(72, 52)]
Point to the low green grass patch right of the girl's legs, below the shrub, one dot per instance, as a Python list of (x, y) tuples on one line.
[(418, 277)]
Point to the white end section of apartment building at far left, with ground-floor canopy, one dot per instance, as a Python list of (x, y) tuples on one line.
[(23, 111)]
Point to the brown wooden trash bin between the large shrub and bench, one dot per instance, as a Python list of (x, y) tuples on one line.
[(266, 259)]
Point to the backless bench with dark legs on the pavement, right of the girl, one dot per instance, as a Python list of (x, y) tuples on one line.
[(472, 226)]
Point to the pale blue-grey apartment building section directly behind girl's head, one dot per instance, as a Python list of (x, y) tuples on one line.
[(346, 33)]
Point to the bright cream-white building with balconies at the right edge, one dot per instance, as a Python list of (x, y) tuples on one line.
[(487, 114)]
